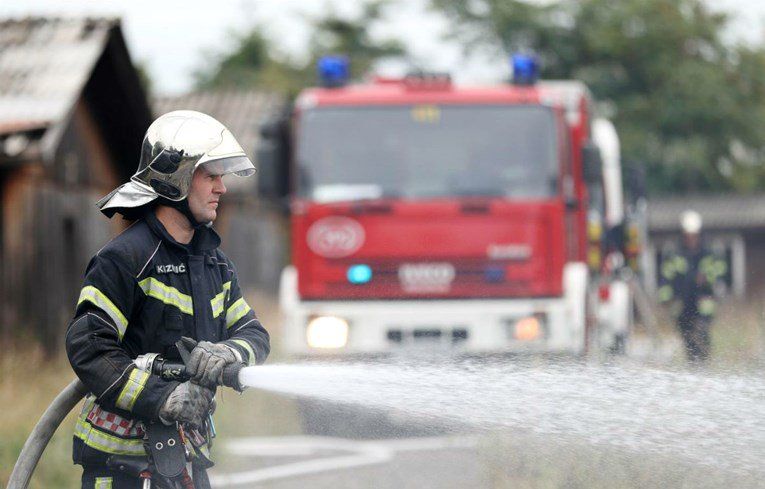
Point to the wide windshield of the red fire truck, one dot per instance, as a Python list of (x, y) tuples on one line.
[(427, 151)]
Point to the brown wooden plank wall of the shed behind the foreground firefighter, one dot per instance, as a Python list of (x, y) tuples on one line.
[(51, 228)]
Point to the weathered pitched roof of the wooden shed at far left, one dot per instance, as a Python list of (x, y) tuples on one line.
[(48, 63)]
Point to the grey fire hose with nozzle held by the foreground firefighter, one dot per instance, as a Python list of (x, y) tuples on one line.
[(74, 392)]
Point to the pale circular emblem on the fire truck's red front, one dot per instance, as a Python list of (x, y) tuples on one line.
[(335, 237)]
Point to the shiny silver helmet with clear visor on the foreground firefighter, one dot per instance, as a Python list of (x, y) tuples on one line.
[(175, 145)]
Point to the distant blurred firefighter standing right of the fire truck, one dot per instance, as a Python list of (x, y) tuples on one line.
[(688, 277)]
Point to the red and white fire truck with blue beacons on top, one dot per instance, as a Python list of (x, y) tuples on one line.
[(429, 214)]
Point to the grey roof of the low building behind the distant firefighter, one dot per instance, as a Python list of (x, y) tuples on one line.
[(719, 212)]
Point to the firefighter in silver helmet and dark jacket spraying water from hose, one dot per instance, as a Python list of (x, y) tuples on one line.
[(161, 279)]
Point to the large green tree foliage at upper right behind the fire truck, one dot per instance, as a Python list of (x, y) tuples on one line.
[(685, 102)]
